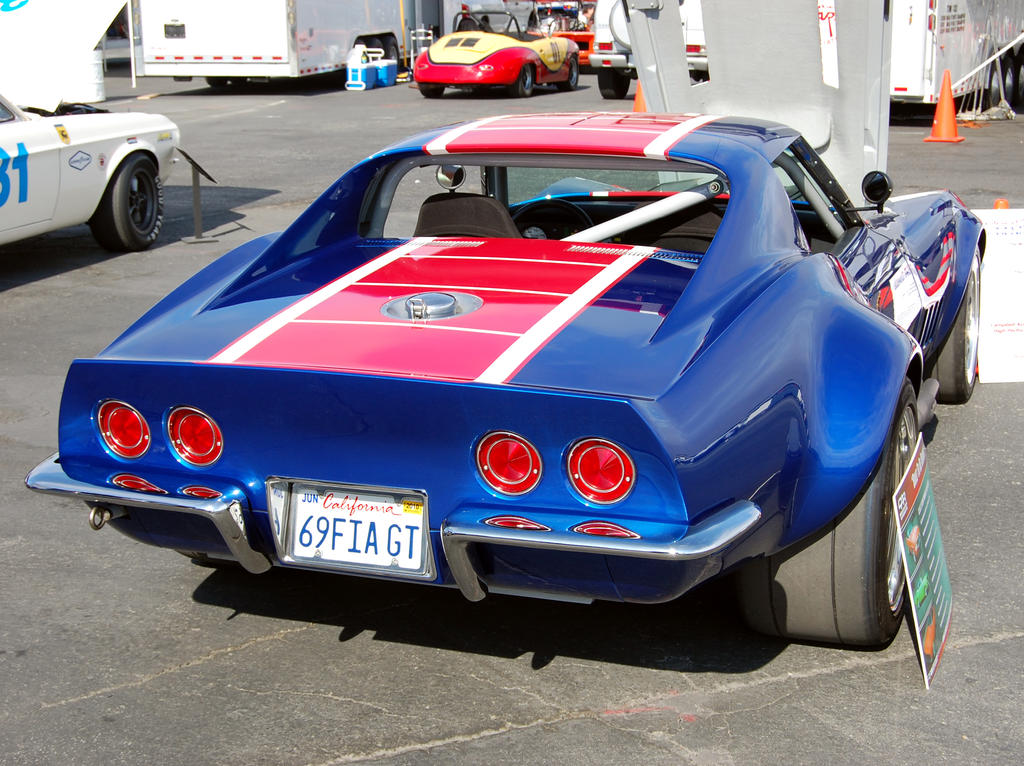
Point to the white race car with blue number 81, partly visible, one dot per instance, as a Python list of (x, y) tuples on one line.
[(98, 167)]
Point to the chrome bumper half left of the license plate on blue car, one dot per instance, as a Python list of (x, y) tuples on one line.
[(226, 515)]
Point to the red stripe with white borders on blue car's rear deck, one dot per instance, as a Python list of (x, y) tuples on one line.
[(528, 299)]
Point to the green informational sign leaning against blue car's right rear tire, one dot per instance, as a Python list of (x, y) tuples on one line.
[(924, 563)]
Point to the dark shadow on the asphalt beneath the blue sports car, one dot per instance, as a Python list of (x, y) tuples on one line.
[(700, 633)]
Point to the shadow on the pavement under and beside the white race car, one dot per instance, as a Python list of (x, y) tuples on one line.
[(68, 249)]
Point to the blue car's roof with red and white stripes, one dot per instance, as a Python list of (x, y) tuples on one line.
[(610, 134)]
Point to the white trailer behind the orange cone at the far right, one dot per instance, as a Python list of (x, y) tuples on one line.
[(931, 36)]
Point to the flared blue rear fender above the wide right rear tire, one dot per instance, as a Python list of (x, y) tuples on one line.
[(789, 407)]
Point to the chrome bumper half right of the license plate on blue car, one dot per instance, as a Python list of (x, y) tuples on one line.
[(460, 532)]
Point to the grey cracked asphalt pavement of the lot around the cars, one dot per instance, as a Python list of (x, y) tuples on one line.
[(114, 653)]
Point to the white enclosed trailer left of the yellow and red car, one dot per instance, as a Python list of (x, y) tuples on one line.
[(234, 40)]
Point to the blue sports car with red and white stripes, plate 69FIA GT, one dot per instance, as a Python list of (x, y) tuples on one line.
[(576, 356)]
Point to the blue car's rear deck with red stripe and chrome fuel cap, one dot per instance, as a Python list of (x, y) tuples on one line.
[(525, 313)]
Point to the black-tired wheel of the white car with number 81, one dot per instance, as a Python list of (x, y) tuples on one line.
[(131, 214)]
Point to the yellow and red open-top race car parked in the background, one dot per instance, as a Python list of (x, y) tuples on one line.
[(491, 50)]
